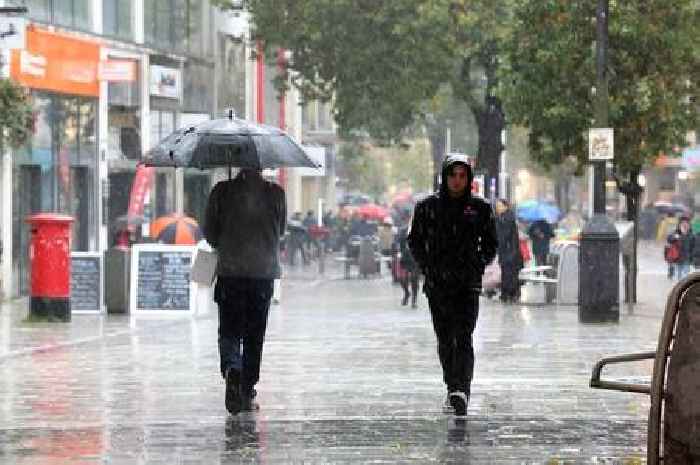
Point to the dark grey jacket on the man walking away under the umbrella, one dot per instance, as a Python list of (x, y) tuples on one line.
[(245, 218)]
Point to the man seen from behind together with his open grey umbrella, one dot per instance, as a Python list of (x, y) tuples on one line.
[(245, 218)]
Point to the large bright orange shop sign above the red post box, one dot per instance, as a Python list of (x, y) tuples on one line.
[(57, 63)]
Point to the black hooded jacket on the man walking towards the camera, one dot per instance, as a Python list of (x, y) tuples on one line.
[(453, 239)]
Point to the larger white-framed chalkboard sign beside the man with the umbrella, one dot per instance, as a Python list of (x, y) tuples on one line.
[(160, 278)]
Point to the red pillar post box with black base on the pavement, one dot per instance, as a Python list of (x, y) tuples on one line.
[(49, 258)]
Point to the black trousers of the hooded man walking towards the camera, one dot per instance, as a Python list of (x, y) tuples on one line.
[(454, 320)]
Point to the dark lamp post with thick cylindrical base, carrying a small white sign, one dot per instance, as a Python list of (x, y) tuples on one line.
[(599, 273)]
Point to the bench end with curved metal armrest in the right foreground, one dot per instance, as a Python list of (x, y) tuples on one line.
[(675, 379)]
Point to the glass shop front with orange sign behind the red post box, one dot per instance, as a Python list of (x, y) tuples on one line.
[(57, 170)]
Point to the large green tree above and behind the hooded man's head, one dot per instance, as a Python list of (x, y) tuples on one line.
[(383, 64)]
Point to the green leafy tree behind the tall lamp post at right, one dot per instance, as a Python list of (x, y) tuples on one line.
[(549, 77)]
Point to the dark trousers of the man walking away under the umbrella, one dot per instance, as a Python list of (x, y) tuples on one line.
[(244, 304)]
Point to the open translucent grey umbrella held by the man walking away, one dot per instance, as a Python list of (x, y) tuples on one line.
[(228, 142)]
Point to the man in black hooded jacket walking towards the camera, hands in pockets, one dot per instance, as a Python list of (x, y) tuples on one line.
[(453, 238)]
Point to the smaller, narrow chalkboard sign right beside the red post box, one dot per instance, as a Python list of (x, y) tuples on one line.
[(86, 282)]
